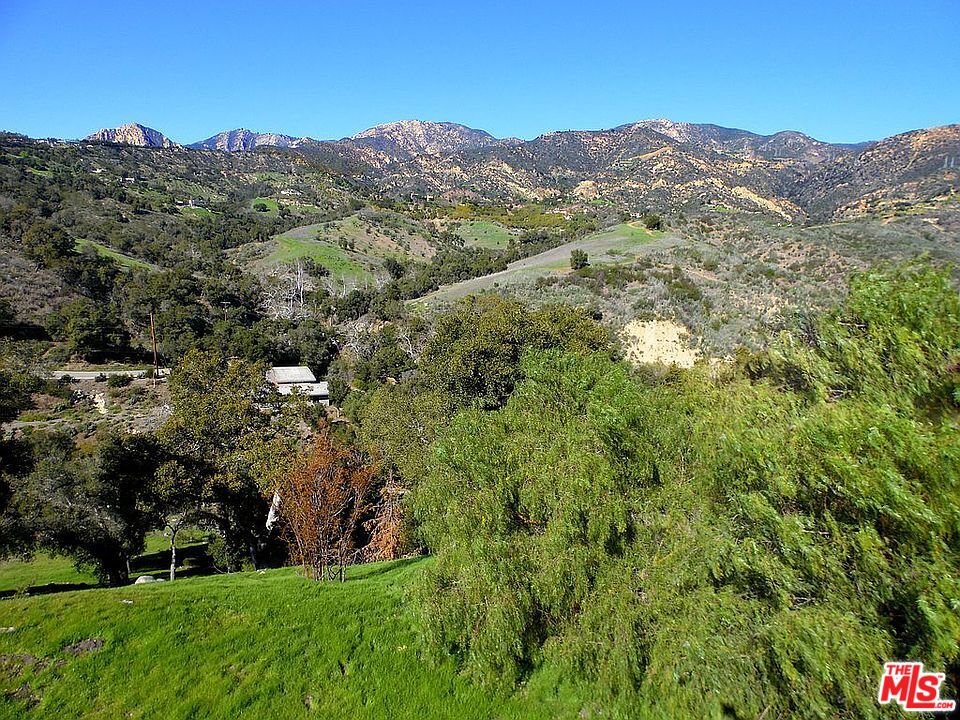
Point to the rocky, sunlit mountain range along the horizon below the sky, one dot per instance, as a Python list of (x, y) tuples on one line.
[(651, 164)]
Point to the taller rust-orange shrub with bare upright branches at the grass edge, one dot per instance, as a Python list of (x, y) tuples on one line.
[(325, 497)]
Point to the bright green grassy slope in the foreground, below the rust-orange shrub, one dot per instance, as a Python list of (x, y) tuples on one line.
[(246, 645)]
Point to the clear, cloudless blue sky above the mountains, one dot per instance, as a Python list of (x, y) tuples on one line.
[(839, 70)]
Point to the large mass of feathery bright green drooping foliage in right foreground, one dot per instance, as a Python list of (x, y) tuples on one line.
[(710, 544)]
